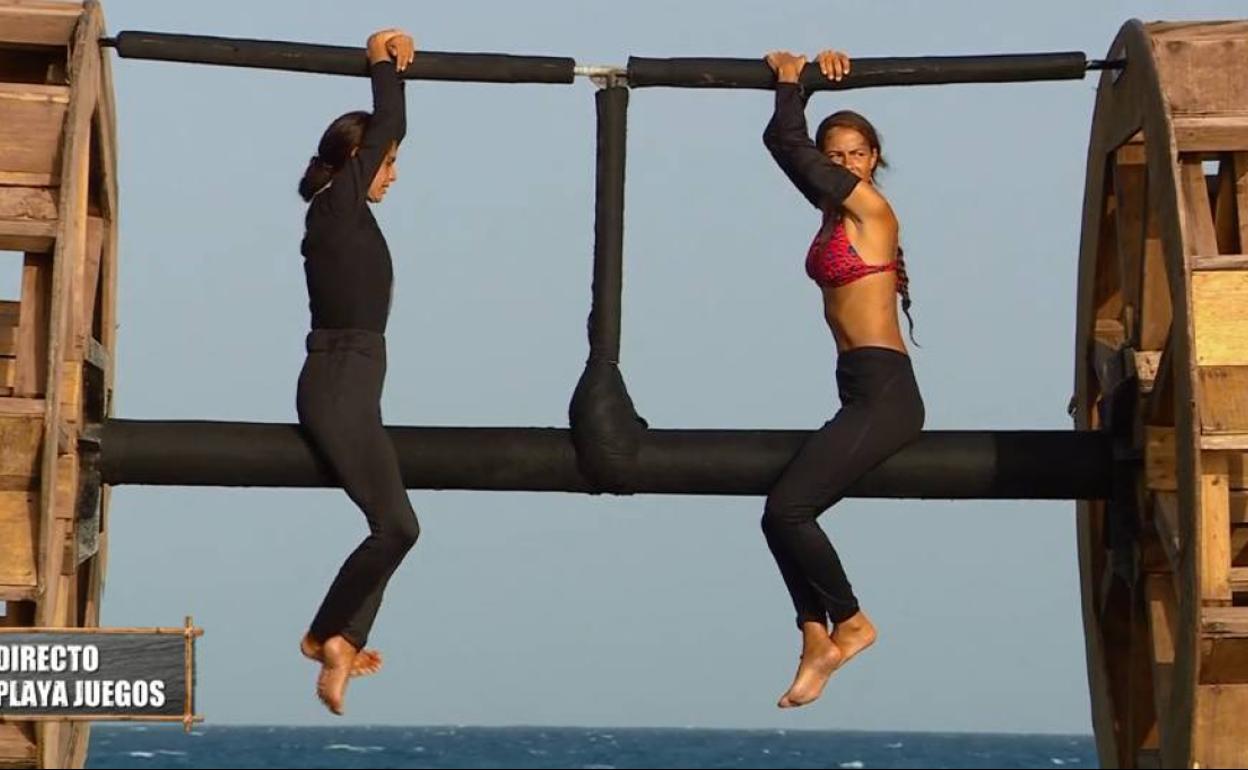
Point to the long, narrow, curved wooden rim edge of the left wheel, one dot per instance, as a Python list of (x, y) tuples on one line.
[(71, 248)]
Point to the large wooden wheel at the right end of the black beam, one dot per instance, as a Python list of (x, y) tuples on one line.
[(1161, 363)]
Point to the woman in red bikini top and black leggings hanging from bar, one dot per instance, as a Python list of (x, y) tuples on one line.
[(857, 261)]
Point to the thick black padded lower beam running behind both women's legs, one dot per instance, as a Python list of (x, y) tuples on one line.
[(1000, 465)]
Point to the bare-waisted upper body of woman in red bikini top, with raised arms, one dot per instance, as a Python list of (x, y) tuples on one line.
[(856, 258)]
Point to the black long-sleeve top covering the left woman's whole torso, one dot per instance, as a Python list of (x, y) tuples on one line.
[(346, 260)]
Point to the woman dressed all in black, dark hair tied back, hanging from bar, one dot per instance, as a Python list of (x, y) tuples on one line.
[(350, 276)]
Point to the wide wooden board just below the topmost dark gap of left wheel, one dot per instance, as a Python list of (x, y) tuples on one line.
[(32, 118)]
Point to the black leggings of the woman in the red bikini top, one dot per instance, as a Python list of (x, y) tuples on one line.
[(882, 411)]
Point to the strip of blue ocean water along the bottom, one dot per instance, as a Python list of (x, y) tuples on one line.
[(598, 748)]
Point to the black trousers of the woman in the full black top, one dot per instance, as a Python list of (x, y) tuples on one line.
[(340, 410)]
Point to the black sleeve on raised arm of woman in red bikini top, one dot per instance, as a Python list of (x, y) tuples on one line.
[(824, 184)]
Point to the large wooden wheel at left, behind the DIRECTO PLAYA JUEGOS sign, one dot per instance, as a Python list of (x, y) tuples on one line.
[(59, 213)]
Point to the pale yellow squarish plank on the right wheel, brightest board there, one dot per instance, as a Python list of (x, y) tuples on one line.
[(1219, 303)]
